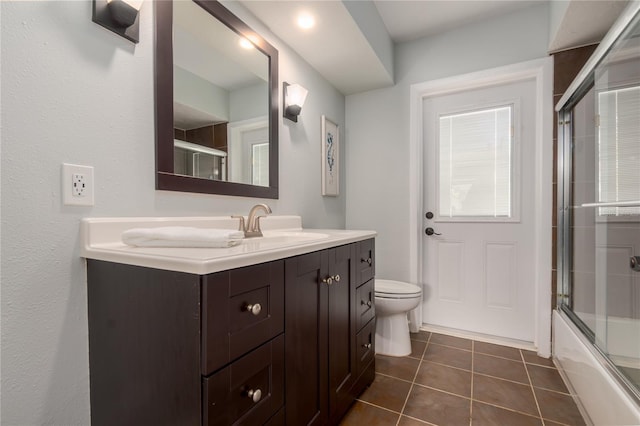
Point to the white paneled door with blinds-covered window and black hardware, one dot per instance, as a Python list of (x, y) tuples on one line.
[(479, 182)]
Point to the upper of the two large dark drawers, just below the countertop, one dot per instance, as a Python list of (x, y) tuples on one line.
[(241, 309)]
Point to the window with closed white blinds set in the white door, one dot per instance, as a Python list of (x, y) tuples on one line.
[(475, 167)]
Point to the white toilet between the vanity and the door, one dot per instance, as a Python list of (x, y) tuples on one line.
[(394, 300)]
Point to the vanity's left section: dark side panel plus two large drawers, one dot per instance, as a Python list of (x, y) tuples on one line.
[(168, 348)]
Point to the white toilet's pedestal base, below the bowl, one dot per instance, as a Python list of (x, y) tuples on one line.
[(396, 326)]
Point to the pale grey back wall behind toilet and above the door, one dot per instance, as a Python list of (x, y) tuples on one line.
[(378, 122)]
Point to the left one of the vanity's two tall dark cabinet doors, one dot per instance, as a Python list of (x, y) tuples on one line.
[(306, 339)]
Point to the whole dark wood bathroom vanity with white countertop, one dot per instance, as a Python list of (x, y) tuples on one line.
[(277, 330)]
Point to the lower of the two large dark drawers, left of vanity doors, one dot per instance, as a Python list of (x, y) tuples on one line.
[(249, 391)]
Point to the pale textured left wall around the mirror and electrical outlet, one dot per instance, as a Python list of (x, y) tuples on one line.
[(75, 92)]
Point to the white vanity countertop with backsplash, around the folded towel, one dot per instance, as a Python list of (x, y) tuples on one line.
[(283, 237)]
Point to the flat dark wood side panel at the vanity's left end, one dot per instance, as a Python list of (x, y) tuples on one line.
[(144, 344)]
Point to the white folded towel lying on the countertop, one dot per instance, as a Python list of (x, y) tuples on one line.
[(181, 236)]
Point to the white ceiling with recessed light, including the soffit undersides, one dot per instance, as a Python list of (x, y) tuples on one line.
[(339, 49)]
